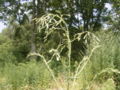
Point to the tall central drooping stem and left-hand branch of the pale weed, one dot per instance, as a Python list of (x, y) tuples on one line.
[(51, 23)]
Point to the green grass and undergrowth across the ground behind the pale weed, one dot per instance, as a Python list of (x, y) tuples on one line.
[(100, 73)]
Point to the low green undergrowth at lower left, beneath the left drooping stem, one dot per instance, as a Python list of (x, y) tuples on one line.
[(31, 74)]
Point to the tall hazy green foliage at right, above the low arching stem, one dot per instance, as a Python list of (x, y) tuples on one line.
[(107, 54)]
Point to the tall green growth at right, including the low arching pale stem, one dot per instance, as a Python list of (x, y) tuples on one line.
[(105, 60)]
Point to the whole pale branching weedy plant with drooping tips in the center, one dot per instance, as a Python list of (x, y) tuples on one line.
[(51, 24)]
